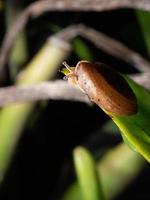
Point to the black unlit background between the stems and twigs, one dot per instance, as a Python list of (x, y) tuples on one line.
[(42, 167)]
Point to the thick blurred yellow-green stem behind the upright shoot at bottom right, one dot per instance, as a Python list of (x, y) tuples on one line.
[(116, 170)]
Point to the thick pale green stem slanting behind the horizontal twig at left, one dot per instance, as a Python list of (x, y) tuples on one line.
[(13, 118)]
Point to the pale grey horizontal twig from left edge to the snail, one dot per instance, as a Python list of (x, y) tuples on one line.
[(58, 90)]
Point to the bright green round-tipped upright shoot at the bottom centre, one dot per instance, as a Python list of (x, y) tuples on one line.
[(87, 175)]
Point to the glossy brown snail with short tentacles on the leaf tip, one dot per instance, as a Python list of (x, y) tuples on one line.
[(104, 86)]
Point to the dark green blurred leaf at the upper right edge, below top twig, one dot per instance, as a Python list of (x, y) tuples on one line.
[(144, 21)]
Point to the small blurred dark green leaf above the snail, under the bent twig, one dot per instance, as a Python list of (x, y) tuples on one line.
[(82, 50)]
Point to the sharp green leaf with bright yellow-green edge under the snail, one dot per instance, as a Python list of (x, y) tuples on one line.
[(136, 128)]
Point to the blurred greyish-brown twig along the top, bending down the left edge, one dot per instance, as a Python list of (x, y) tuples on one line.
[(39, 7)]
